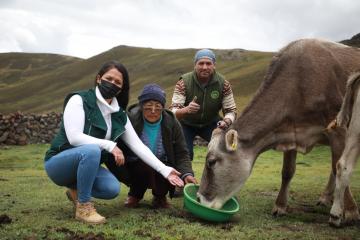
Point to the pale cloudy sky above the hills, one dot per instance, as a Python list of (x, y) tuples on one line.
[(84, 28)]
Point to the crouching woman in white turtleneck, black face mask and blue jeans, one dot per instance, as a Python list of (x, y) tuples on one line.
[(93, 122)]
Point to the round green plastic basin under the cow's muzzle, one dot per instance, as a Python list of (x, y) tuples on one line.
[(206, 213)]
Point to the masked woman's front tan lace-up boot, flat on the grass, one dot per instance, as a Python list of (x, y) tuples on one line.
[(86, 212)]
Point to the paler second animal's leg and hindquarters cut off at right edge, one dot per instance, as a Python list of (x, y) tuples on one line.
[(344, 209)]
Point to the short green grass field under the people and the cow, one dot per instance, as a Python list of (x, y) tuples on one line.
[(39, 209)]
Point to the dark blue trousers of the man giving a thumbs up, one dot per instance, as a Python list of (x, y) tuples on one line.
[(190, 133)]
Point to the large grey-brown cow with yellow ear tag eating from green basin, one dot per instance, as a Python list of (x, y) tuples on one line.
[(301, 93)]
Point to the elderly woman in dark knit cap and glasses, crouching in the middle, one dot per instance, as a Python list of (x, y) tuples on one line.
[(161, 132)]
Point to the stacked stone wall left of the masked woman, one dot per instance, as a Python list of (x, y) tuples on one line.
[(21, 129)]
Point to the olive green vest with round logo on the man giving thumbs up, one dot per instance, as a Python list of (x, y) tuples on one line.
[(209, 97)]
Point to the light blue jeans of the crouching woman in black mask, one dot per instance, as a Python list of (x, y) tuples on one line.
[(79, 168)]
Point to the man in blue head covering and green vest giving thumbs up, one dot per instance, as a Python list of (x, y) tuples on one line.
[(199, 96)]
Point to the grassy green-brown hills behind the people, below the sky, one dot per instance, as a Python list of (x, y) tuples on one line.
[(38, 83)]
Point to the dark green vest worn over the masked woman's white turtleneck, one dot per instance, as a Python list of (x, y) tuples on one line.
[(95, 125)]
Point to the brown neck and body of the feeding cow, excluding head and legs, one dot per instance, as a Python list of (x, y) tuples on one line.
[(305, 79)]
